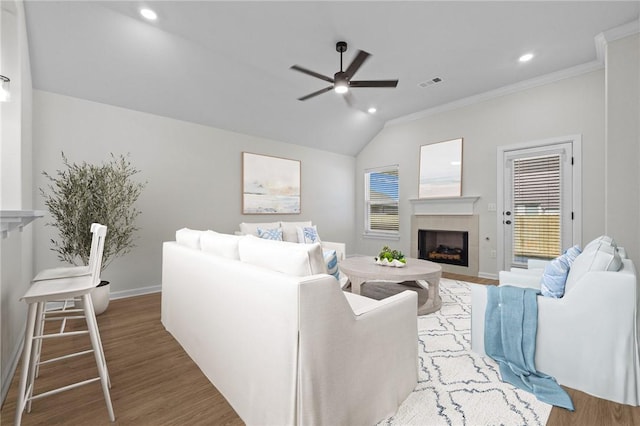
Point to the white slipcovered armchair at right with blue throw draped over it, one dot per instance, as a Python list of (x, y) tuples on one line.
[(588, 338)]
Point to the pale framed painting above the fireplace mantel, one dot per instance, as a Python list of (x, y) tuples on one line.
[(441, 169)]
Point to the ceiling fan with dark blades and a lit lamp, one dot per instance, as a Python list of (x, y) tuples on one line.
[(341, 81)]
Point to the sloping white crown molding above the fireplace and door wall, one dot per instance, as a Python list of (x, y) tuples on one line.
[(502, 91)]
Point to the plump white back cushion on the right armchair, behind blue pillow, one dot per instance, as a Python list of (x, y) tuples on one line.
[(595, 257)]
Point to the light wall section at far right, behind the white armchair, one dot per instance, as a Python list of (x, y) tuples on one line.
[(623, 144)]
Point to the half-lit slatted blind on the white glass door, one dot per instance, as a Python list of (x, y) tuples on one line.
[(537, 207)]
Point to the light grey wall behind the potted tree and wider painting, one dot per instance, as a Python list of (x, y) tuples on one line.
[(193, 174)]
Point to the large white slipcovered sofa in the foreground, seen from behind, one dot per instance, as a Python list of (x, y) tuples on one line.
[(278, 337)]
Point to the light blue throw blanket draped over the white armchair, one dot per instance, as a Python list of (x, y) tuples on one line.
[(511, 322)]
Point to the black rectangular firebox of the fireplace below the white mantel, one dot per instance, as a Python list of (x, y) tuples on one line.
[(443, 246)]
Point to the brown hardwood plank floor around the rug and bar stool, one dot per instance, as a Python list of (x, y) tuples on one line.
[(156, 383)]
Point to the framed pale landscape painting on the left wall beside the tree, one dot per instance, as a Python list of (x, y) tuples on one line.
[(270, 185)]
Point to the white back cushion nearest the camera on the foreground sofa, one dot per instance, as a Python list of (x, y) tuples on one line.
[(289, 258)]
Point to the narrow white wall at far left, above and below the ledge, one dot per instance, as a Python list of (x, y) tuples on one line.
[(16, 251)]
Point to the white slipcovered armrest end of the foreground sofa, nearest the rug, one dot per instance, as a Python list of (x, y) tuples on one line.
[(340, 349)]
